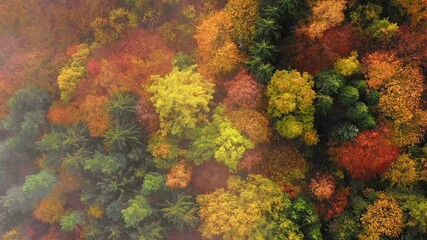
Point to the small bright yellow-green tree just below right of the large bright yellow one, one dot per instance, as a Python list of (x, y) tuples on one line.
[(230, 146)]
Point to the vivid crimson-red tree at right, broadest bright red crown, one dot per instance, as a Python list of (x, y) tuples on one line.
[(371, 153)]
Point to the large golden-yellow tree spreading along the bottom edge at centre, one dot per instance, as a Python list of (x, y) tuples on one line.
[(241, 211)]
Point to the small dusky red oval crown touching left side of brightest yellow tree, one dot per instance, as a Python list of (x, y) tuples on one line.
[(147, 115)]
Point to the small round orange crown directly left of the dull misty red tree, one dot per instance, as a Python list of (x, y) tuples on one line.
[(179, 176)]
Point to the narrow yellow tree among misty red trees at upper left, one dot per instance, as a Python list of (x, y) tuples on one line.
[(70, 76)]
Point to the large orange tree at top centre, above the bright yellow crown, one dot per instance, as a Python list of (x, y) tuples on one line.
[(217, 52)]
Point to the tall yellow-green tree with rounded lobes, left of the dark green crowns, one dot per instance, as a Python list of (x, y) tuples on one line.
[(291, 97)]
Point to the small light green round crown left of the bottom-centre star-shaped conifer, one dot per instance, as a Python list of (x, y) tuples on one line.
[(138, 210)]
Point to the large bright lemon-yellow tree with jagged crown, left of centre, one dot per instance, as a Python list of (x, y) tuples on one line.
[(181, 99)]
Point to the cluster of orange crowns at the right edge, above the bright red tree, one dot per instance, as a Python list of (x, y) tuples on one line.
[(401, 88)]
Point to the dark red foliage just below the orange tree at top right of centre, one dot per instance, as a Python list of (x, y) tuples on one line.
[(313, 56)]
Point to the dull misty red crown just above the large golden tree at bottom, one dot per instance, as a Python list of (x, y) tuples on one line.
[(210, 176)]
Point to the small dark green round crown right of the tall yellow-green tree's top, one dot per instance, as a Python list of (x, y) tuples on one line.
[(329, 82)]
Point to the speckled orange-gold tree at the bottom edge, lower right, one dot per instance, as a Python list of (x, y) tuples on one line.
[(384, 217)]
